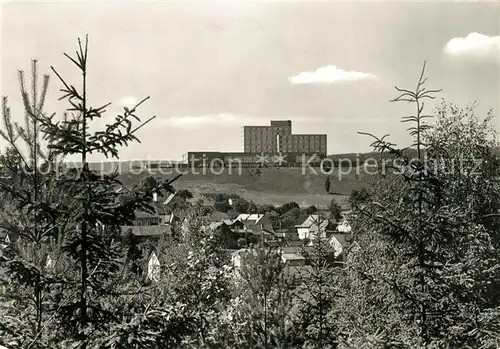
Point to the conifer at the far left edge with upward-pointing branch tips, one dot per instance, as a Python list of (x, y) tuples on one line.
[(31, 198)]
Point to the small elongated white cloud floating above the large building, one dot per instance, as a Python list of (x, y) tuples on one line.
[(330, 75)]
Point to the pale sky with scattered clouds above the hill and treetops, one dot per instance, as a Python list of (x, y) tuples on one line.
[(211, 67)]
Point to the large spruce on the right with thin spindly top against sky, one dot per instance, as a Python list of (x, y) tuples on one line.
[(423, 260)]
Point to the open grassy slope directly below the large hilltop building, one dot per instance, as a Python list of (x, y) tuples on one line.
[(273, 185)]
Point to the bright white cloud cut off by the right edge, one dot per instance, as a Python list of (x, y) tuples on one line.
[(474, 45)]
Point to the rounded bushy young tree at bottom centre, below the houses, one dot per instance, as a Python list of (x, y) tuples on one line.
[(259, 312)]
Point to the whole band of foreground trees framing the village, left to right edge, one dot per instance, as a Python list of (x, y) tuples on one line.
[(423, 270)]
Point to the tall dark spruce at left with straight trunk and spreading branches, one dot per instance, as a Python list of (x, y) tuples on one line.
[(92, 204)]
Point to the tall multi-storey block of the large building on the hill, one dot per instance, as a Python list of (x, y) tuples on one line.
[(278, 138)]
